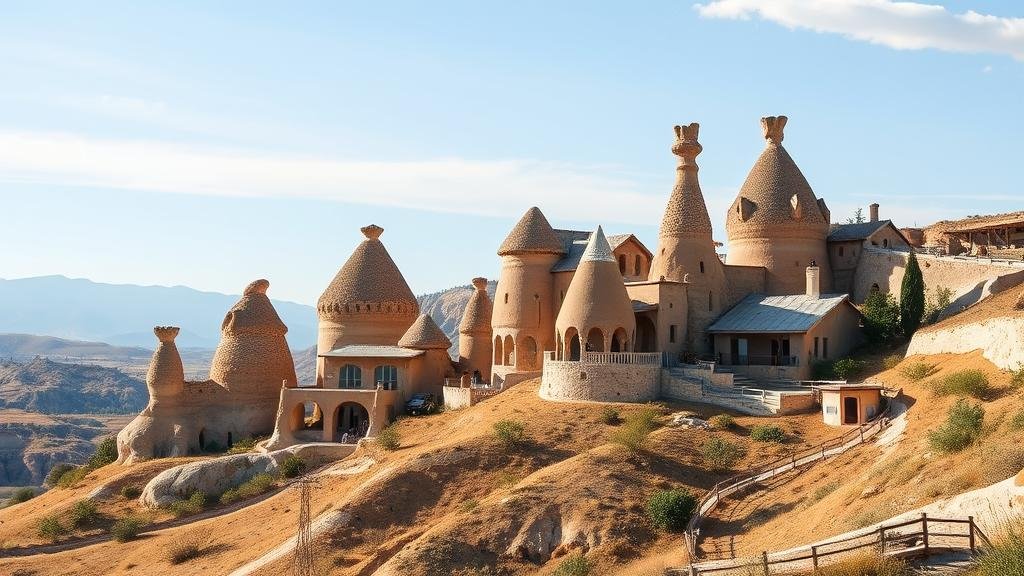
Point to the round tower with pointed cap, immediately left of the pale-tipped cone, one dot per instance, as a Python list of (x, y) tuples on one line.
[(523, 318)]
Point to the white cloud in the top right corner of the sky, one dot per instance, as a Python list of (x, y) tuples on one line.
[(904, 26)]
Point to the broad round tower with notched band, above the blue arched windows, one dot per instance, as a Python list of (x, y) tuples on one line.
[(368, 303)]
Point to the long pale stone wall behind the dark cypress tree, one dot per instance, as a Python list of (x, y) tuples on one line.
[(970, 279)]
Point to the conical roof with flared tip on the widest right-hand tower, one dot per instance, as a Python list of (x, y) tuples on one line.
[(776, 195)]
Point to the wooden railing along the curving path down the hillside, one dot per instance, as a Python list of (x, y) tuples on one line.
[(752, 476)]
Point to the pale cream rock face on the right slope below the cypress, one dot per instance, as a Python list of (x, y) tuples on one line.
[(1002, 341)]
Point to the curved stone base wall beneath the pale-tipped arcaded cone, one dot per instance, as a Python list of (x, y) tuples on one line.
[(601, 383)]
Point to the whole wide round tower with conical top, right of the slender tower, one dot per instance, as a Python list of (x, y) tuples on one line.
[(777, 222)]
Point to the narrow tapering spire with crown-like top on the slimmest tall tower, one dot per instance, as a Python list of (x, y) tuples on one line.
[(687, 214)]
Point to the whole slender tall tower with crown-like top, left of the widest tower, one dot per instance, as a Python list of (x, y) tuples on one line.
[(686, 246)]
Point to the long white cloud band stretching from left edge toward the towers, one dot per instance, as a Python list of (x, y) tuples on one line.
[(488, 188)]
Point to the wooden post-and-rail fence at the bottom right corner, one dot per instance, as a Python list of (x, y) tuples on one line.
[(921, 537)]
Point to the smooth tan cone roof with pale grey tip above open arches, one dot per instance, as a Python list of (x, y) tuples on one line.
[(596, 297)]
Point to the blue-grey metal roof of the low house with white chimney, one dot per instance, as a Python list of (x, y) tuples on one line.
[(790, 314)]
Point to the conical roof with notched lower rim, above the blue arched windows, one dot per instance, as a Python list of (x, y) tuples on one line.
[(370, 282)]
